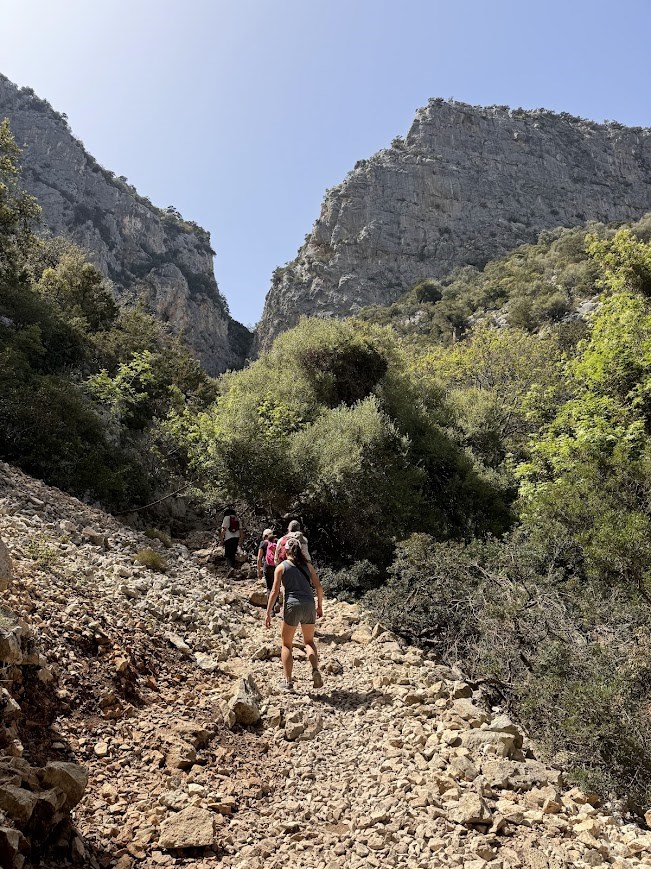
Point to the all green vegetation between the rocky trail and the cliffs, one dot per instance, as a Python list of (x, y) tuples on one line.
[(474, 459)]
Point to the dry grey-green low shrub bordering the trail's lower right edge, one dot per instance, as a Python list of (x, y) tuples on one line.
[(570, 657)]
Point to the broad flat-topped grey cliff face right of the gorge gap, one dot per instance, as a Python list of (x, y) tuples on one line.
[(467, 184)]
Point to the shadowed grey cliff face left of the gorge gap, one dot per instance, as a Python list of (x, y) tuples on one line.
[(147, 252)]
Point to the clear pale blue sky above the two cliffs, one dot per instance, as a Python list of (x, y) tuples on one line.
[(242, 113)]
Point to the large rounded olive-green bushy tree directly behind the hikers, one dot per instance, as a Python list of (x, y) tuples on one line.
[(330, 424)]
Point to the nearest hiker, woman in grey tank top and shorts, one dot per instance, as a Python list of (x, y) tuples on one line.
[(299, 580)]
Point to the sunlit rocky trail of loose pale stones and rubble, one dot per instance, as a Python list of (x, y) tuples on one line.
[(143, 726)]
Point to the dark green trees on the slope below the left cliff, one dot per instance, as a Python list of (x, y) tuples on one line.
[(83, 383)]
